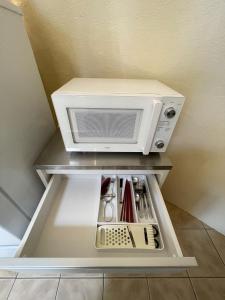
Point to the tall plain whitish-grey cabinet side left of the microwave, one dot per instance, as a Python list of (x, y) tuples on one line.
[(25, 126)]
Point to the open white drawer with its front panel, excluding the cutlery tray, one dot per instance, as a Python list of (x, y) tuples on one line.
[(61, 234)]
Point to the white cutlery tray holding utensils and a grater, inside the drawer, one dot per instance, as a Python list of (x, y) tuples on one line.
[(141, 231)]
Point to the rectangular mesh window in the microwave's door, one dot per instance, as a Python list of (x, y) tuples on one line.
[(105, 125)]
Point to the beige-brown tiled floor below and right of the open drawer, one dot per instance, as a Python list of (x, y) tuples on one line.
[(205, 282)]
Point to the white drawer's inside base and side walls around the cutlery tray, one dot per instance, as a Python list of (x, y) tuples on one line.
[(64, 224)]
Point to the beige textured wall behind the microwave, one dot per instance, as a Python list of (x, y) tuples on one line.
[(179, 42)]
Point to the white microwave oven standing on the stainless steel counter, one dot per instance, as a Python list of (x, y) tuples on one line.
[(116, 115)]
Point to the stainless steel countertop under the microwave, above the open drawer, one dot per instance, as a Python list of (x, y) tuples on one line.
[(55, 157)]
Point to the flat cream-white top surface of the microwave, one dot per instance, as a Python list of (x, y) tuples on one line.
[(105, 86)]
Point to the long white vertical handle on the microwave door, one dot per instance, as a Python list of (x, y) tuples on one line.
[(156, 110)]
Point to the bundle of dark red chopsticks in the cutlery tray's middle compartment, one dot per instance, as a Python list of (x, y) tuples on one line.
[(127, 208)]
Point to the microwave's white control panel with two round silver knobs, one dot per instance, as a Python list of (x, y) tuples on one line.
[(168, 118)]
